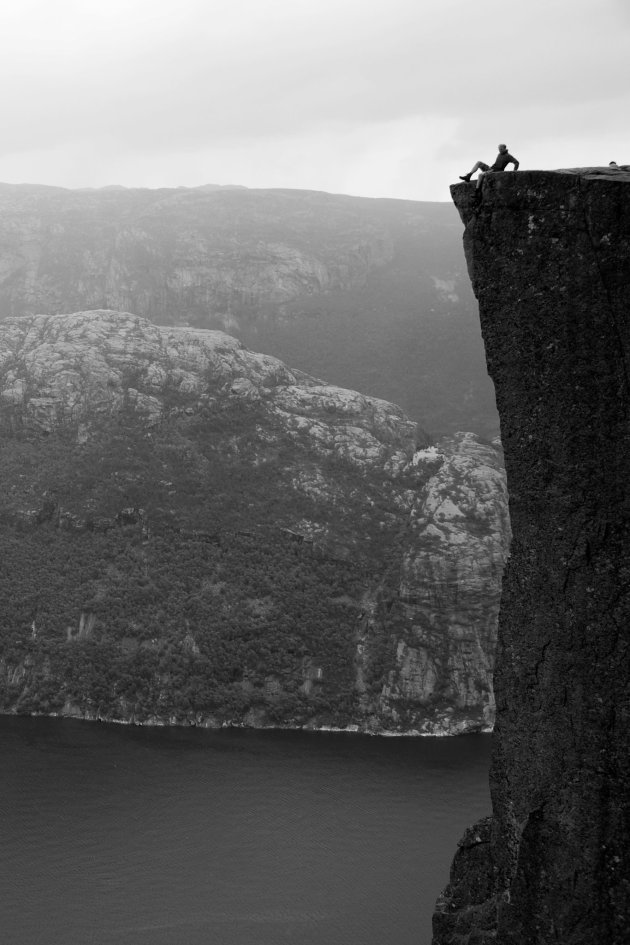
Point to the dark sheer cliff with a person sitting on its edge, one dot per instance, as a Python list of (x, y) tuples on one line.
[(549, 258)]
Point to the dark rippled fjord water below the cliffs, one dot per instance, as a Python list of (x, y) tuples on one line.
[(113, 835)]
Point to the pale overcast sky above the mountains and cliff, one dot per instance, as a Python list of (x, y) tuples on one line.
[(381, 98)]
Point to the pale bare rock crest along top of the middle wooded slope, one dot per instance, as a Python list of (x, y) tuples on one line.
[(72, 371)]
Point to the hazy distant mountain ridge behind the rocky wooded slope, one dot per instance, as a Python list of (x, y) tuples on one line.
[(368, 294)]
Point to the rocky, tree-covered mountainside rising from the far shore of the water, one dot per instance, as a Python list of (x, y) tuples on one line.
[(193, 532)]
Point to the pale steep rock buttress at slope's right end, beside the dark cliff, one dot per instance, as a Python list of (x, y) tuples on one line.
[(451, 578)]
